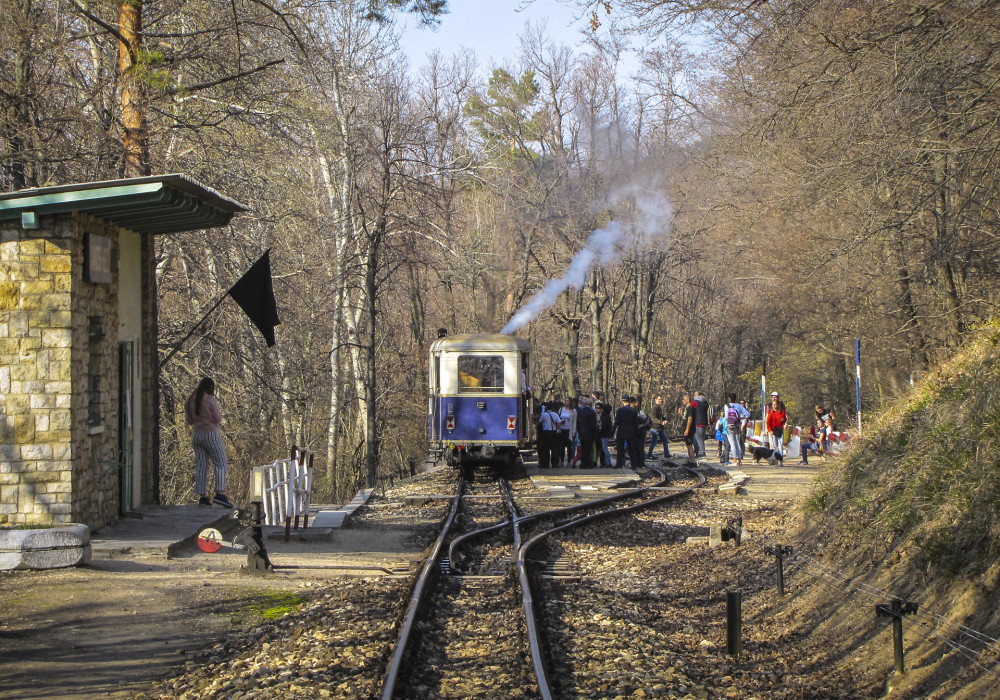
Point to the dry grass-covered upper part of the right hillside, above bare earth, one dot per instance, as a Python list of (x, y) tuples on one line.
[(922, 483)]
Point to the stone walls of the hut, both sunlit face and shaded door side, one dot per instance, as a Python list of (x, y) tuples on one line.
[(58, 377)]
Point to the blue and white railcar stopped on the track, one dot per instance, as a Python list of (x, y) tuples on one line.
[(479, 404)]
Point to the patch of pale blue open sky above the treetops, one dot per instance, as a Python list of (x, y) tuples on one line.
[(491, 29)]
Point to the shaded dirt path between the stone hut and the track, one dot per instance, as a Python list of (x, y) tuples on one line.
[(108, 629)]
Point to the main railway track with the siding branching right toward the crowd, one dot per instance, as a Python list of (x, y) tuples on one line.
[(462, 635)]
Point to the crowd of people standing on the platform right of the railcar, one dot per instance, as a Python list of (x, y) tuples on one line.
[(579, 431)]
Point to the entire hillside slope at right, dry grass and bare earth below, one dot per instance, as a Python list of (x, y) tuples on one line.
[(913, 510)]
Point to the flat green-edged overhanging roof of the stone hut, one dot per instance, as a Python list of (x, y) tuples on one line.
[(147, 205)]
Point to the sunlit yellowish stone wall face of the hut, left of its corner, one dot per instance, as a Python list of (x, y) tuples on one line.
[(36, 318)]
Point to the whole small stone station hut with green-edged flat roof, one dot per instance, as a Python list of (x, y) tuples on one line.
[(78, 356)]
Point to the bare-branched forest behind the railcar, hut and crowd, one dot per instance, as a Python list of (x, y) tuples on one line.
[(816, 172)]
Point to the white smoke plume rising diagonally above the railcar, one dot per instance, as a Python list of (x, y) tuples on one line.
[(604, 246)]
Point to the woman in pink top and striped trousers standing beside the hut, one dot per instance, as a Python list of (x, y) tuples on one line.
[(203, 414)]
